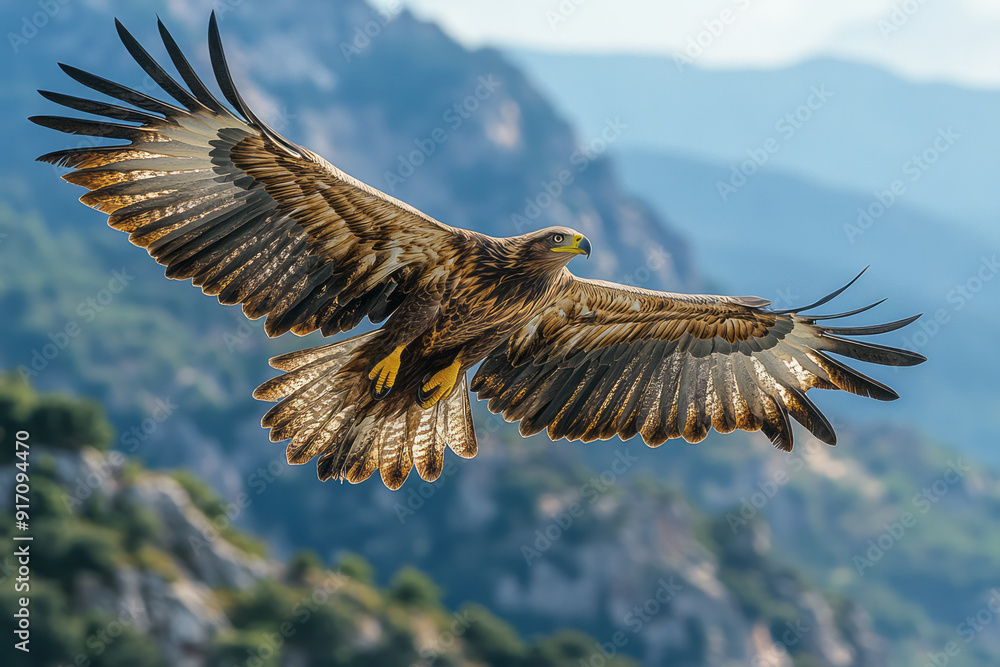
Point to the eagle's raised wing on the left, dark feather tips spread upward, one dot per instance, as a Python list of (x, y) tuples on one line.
[(247, 215)]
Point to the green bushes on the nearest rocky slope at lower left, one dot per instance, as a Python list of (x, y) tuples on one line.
[(320, 616)]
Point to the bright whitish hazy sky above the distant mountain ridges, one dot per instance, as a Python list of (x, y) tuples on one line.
[(953, 40)]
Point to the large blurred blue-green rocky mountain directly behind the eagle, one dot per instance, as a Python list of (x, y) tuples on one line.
[(89, 315)]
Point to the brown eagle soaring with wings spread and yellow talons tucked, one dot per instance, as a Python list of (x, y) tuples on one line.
[(220, 198)]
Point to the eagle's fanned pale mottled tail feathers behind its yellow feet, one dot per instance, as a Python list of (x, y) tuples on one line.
[(327, 412)]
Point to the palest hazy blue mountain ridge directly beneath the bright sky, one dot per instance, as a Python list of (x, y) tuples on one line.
[(844, 125)]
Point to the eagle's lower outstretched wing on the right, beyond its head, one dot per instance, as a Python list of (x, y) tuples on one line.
[(605, 359)]
